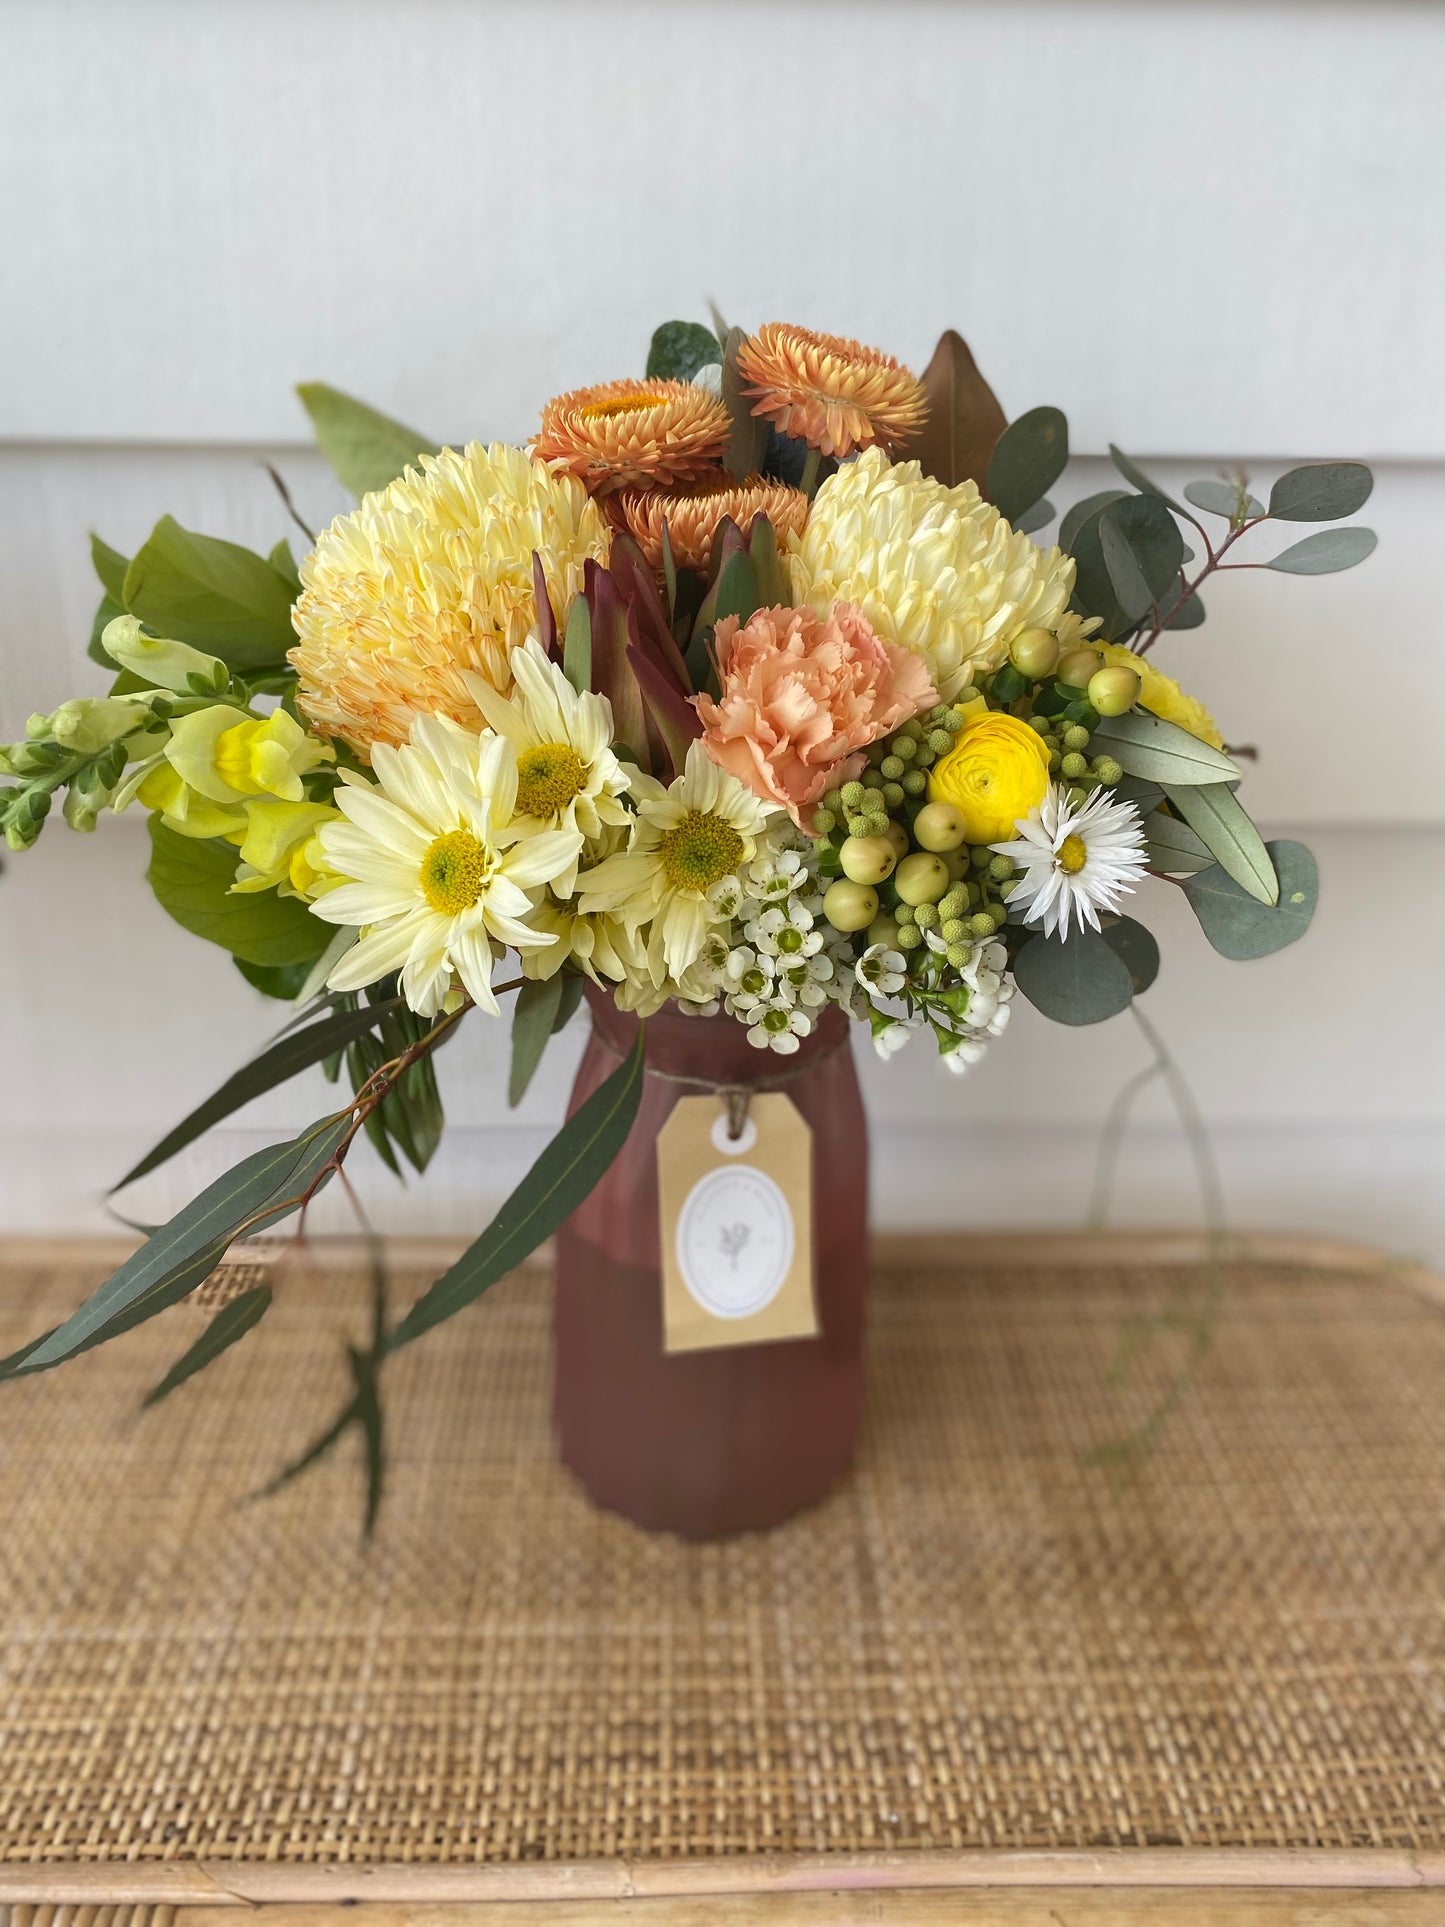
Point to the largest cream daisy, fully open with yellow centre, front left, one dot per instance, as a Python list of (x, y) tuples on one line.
[(438, 868)]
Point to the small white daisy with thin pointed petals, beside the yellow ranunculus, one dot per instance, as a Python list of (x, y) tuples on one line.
[(1076, 858)]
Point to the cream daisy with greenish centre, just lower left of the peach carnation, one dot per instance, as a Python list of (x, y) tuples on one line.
[(685, 841)]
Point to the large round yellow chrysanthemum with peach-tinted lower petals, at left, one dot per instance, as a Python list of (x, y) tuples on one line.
[(433, 579)]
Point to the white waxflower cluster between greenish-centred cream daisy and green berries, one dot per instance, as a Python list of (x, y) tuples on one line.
[(772, 961)]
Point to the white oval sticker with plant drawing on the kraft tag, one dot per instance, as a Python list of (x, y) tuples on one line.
[(735, 1242)]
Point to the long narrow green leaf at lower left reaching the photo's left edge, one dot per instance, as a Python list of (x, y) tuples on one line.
[(182, 1254)]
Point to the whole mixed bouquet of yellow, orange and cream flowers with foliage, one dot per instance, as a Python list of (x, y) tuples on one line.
[(747, 689)]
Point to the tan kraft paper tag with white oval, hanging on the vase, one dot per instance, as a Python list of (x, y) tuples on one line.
[(737, 1225)]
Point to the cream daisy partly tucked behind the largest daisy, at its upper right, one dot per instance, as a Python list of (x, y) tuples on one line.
[(567, 778)]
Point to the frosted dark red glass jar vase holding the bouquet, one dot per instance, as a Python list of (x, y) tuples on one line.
[(741, 1439)]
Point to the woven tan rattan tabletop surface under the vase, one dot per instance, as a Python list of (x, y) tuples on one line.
[(985, 1641)]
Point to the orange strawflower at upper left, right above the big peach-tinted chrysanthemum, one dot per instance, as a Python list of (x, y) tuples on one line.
[(635, 435)]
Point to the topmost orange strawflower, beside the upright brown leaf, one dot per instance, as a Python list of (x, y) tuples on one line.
[(837, 396)]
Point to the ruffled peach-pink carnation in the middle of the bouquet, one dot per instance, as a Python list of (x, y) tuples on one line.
[(802, 699)]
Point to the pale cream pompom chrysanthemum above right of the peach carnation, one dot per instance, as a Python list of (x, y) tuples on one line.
[(935, 569)]
